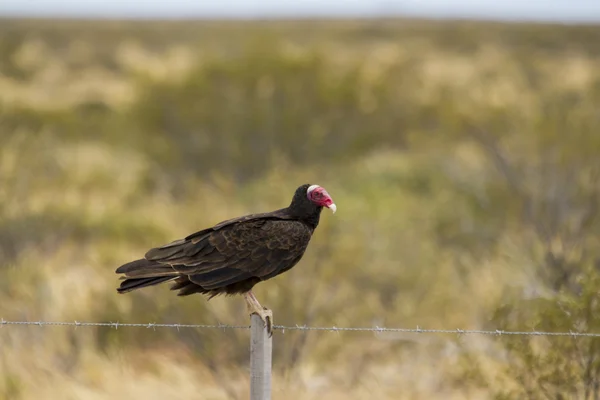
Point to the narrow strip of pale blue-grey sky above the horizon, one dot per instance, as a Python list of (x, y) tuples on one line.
[(542, 10)]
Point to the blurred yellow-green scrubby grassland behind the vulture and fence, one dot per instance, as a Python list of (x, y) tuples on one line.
[(464, 159)]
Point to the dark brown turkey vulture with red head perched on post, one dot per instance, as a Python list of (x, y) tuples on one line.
[(234, 255)]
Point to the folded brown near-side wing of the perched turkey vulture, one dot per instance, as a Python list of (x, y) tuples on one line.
[(236, 251)]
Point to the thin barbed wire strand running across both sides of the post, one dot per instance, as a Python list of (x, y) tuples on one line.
[(283, 328)]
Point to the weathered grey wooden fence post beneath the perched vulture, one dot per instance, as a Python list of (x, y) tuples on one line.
[(261, 346)]
